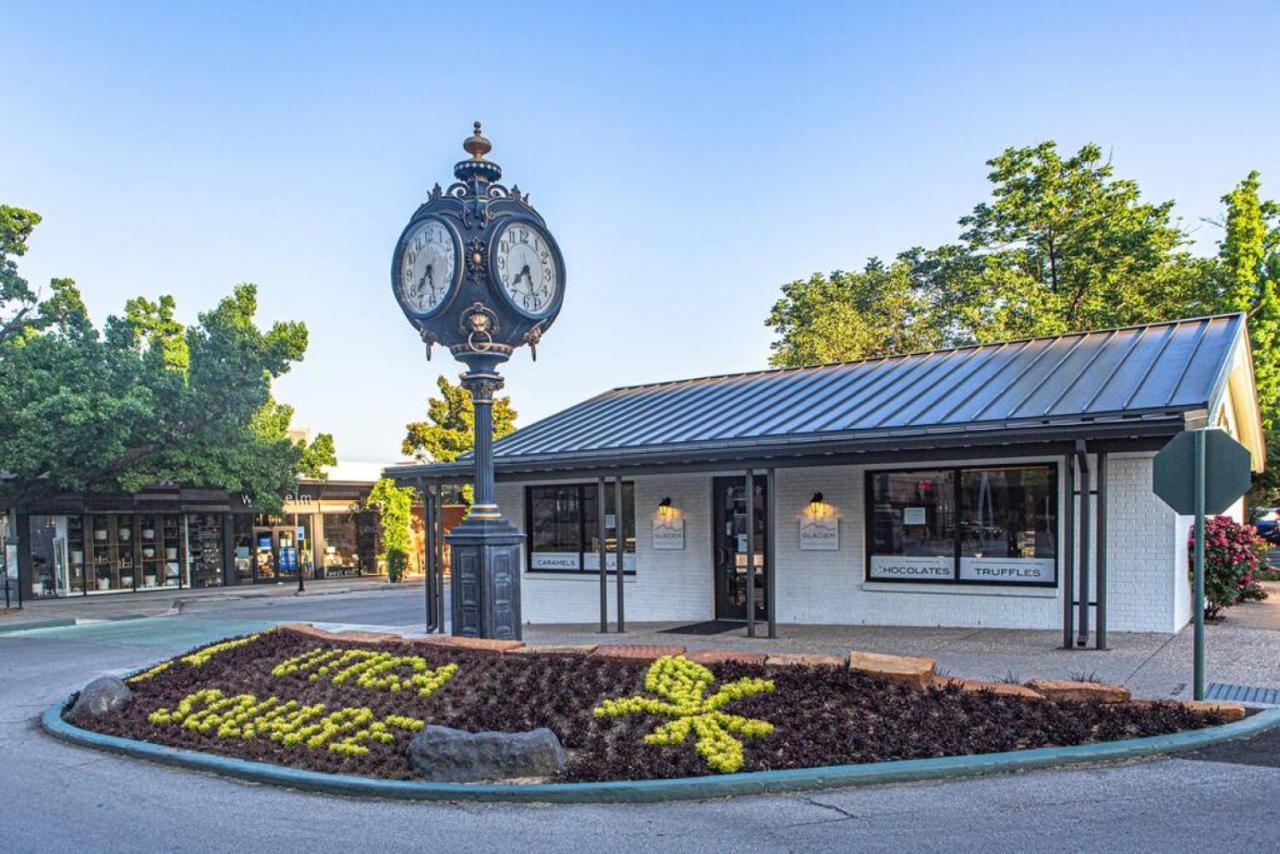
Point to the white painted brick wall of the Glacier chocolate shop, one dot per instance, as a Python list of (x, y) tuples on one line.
[(1148, 587)]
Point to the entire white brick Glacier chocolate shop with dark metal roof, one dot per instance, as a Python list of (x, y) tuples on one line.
[(995, 486)]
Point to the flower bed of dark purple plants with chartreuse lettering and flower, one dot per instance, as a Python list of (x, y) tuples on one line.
[(350, 707)]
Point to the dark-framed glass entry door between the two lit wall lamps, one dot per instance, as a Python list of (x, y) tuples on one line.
[(730, 546)]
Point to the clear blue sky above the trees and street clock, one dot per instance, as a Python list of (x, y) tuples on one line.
[(691, 158)]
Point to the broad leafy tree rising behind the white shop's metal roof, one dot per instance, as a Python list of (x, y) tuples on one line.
[(1062, 245)]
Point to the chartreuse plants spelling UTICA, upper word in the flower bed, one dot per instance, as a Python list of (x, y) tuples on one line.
[(380, 672)]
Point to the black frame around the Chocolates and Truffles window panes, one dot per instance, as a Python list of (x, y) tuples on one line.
[(958, 471)]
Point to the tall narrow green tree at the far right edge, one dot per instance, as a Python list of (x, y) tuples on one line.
[(1250, 278)]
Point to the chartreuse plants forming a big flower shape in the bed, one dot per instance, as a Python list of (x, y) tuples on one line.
[(683, 687)]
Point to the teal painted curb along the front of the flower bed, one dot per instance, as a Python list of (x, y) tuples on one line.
[(680, 789)]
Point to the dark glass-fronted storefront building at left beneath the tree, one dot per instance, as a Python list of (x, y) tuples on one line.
[(89, 545)]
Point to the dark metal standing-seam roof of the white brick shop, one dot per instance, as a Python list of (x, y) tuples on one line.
[(1139, 373)]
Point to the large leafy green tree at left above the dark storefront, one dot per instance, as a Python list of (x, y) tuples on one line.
[(144, 400)]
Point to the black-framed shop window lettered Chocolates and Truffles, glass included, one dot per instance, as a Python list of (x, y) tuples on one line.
[(975, 526)]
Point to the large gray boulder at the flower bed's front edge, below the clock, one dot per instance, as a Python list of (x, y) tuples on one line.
[(445, 755)]
